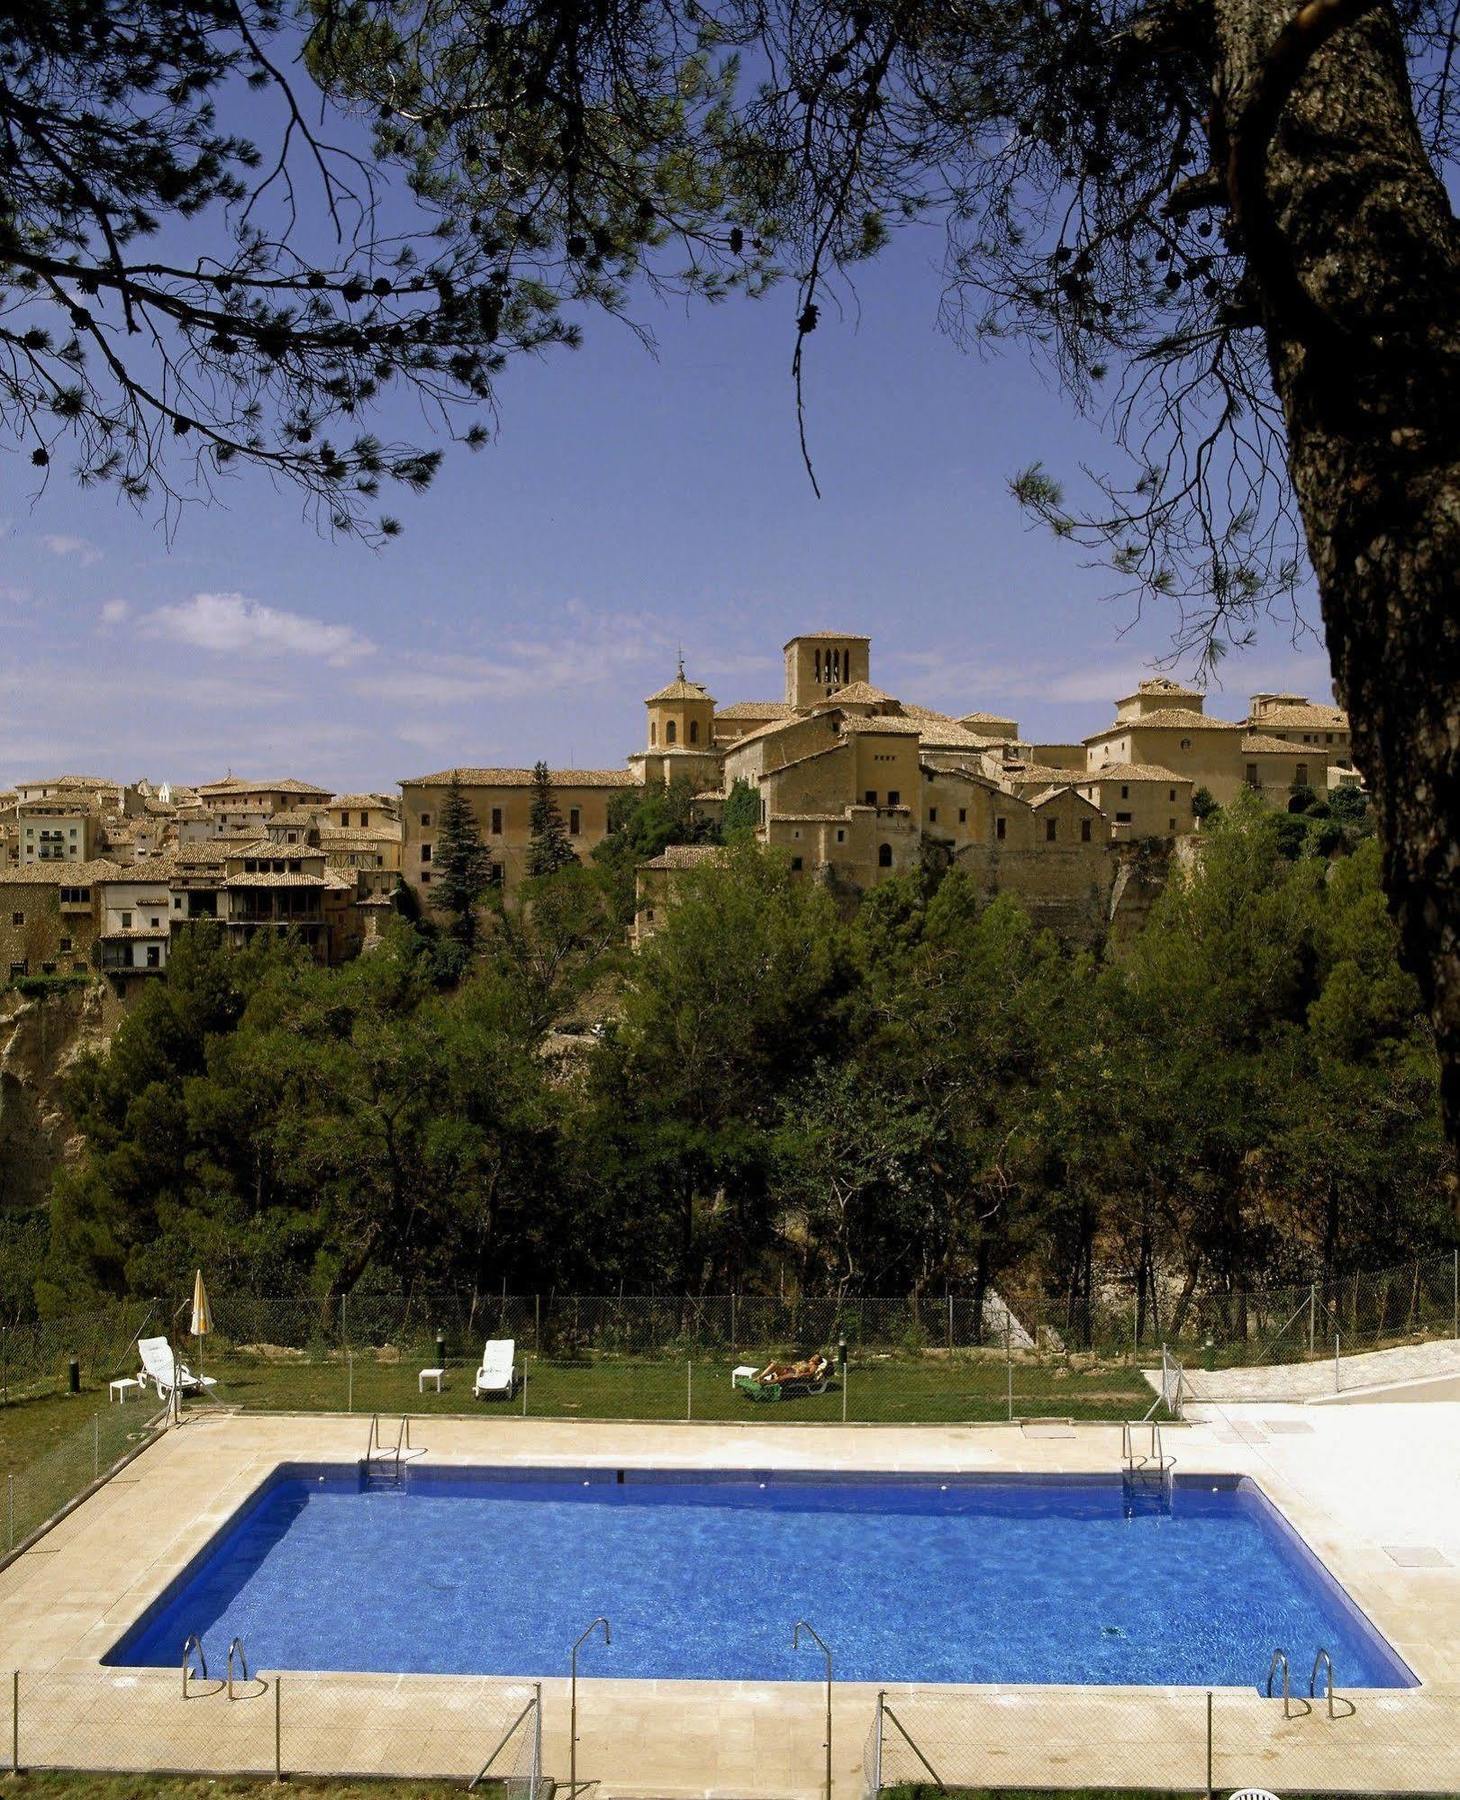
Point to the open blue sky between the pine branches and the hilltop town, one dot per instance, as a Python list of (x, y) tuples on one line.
[(543, 588)]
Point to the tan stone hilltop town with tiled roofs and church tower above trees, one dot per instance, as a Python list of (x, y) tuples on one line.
[(851, 782)]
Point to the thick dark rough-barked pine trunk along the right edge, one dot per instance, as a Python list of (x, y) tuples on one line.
[(1360, 298)]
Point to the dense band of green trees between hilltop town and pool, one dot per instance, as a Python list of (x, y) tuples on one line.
[(923, 1095)]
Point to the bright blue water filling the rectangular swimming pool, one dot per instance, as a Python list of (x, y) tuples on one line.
[(703, 1576)]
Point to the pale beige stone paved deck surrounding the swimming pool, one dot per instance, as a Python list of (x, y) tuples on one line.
[(1373, 1489)]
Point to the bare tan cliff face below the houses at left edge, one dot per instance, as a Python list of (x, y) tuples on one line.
[(39, 1043)]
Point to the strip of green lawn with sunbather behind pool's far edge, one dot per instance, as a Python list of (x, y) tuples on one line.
[(892, 1390)]
